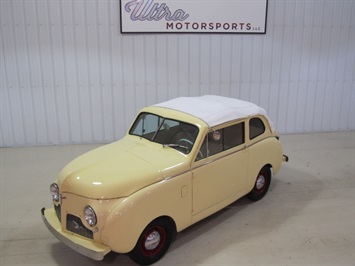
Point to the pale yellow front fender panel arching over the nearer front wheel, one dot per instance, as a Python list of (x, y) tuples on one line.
[(170, 197)]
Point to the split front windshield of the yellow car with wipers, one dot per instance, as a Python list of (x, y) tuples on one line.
[(168, 132)]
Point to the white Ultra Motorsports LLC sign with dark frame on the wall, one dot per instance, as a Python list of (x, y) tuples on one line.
[(193, 16)]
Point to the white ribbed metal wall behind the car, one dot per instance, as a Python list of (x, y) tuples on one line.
[(67, 75)]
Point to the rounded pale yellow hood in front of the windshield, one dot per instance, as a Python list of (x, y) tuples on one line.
[(119, 169)]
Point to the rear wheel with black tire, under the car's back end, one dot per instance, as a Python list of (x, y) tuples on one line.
[(261, 185)]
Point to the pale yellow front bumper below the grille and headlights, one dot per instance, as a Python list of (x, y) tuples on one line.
[(83, 246)]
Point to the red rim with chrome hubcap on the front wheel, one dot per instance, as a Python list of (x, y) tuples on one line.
[(153, 241)]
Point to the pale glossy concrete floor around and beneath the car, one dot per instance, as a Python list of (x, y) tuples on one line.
[(307, 218)]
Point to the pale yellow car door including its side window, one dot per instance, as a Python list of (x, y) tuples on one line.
[(219, 173)]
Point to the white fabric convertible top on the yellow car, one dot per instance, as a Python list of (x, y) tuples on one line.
[(215, 110)]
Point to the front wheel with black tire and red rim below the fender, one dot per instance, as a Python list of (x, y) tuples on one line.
[(153, 243)]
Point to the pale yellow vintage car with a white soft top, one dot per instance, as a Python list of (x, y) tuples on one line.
[(181, 161)]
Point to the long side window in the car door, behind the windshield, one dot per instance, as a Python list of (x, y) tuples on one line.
[(221, 140)]
